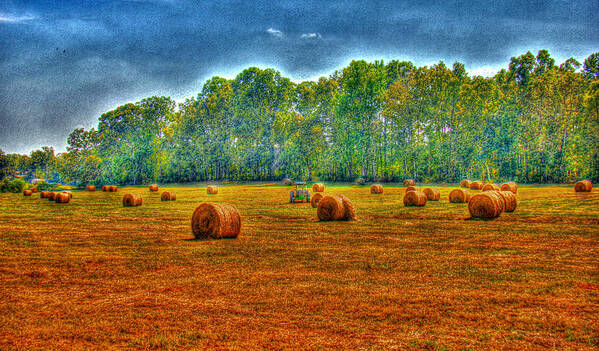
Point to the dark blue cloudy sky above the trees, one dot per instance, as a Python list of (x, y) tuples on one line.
[(63, 63)]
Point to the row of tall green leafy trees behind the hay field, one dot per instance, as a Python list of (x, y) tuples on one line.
[(535, 121)]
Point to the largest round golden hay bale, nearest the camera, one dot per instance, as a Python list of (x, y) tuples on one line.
[(215, 221)]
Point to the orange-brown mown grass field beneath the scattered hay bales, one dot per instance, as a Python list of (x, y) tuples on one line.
[(93, 274)]
